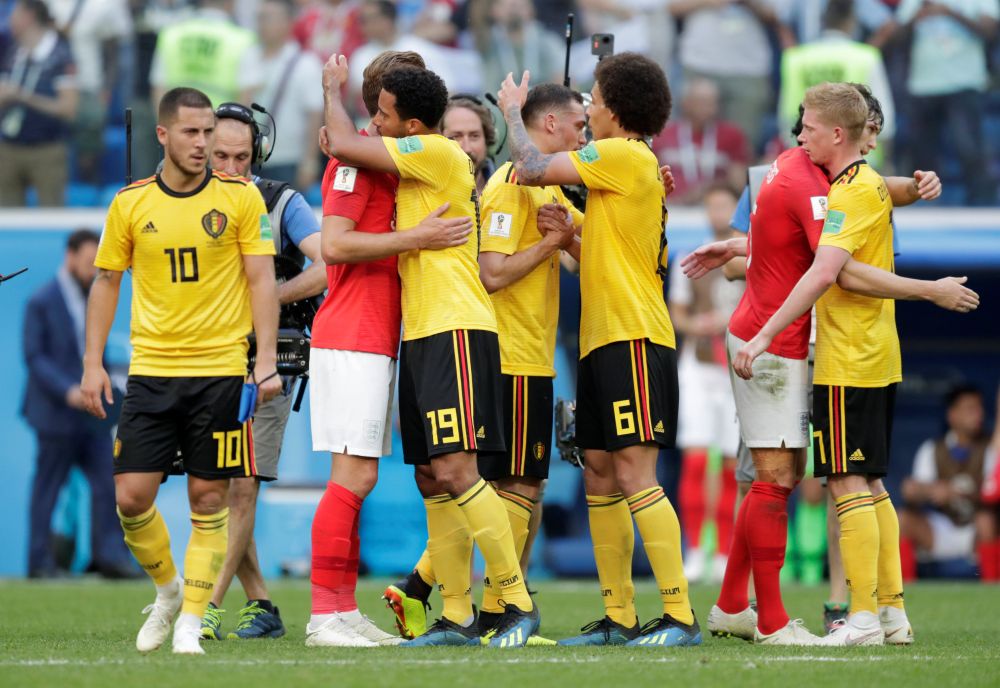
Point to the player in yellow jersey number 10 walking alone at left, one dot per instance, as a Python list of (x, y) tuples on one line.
[(200, 249)]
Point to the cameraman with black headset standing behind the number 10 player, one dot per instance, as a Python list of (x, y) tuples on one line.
[(238, 145)]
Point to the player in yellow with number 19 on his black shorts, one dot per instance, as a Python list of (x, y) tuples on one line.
[(449, 377)]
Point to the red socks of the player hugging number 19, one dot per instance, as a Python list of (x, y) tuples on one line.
[(335, 551)]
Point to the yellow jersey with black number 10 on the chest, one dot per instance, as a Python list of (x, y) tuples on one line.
[(190, 298)]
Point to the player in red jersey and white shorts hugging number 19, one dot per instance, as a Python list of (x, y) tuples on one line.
[(355, 340)]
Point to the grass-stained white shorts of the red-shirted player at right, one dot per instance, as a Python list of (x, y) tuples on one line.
[(773, 406)]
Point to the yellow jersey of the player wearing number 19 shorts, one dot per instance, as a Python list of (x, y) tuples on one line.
[(441, 289)]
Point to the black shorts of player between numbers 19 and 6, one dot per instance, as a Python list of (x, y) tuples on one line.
[(527, 422)]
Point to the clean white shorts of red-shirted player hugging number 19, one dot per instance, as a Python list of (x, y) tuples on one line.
[(350, 398)]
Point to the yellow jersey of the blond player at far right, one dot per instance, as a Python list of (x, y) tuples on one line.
[(856, 340)]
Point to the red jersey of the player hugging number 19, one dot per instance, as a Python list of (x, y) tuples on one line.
[(362, 307)]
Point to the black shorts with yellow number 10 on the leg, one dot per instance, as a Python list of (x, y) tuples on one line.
[(197, 415)]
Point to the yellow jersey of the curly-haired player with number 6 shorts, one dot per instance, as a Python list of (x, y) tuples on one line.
[(621, 294)]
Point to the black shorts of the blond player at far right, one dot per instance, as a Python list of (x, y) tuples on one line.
[(851, 430)]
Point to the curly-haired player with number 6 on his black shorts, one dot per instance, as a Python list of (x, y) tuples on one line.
[(627, 379)]
